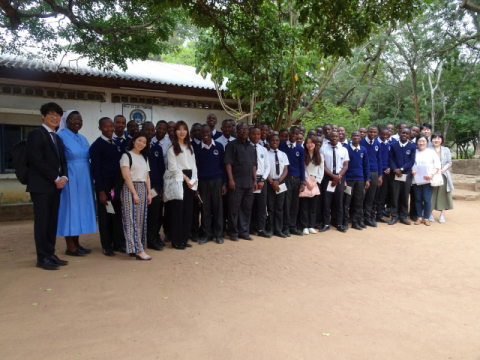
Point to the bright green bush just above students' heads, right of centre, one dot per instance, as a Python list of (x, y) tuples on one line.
[(328, 113)]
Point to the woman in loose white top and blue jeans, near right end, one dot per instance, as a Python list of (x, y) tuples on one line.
[(427, 160)]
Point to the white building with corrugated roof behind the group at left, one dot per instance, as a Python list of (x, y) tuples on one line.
[(161, 91)]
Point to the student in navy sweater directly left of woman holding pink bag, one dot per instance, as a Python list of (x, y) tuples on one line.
[(295, 181)]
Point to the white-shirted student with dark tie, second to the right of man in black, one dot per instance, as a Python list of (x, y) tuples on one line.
[(278, 172)]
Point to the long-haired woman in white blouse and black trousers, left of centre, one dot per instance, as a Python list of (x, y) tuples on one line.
[(181, 161)]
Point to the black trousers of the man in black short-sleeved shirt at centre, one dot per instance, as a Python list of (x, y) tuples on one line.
[(240, 203)]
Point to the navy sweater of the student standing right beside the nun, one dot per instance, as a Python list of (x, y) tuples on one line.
[(105, 163)]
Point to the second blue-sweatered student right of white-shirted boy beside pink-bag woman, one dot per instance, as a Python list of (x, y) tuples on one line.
[(372, 145)]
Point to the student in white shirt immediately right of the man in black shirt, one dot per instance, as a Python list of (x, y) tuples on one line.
[(258, 216)]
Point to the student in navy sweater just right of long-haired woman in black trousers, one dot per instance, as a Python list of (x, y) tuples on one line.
[(212, 184)]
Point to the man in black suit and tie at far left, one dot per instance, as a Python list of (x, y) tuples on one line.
[(47, 175)]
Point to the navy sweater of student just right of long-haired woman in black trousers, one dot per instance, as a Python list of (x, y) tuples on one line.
[(210, 164)]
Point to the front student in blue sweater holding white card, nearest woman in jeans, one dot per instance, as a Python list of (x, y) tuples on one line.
[(401, 160)]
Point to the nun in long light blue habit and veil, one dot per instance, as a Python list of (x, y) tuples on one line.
[(77, 205)]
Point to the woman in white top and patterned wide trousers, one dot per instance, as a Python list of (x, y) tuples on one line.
[(135, 196)]
